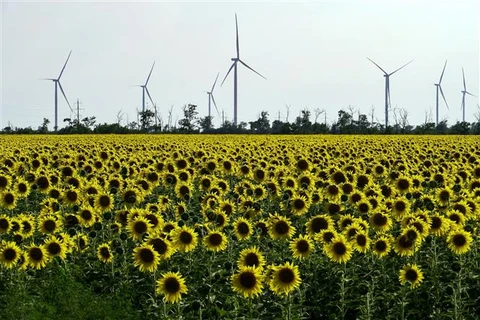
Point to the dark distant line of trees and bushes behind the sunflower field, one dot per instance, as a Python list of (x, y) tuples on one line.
[(348, 122)]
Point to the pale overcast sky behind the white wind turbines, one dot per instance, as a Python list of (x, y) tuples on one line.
[(313, 55)]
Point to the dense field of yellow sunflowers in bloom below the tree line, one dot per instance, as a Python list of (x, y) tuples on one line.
[(239, 227)]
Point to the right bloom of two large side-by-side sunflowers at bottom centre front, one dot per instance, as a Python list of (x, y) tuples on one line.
[(284, 278)]
